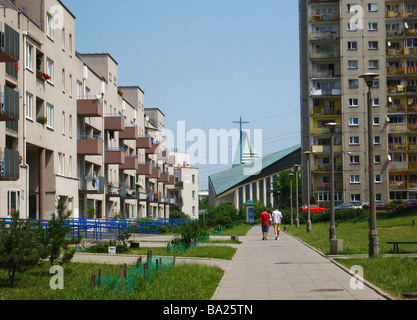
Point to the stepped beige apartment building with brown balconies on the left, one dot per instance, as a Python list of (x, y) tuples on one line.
[(69, 132)]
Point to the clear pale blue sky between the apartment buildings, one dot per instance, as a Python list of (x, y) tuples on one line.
[(204, 64)]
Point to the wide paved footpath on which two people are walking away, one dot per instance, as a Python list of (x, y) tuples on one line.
[(286, 269)]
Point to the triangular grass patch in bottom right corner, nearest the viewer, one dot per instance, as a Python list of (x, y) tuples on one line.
[(395, 275)]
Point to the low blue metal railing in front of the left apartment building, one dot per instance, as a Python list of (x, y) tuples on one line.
[(105, 229)]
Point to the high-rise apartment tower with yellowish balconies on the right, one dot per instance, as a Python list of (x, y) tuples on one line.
[(339, 41)]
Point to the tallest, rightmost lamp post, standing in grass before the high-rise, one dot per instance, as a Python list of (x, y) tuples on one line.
[(373, 232)]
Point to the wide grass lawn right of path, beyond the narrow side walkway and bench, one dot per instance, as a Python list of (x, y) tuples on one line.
[(355, 234)]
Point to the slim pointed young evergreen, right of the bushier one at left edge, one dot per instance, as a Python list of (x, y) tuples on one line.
[(55, 242)]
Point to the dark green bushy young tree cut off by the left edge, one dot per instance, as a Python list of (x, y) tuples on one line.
[(19, 245)]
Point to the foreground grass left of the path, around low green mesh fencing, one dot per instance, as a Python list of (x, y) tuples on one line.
[(184, 282)]
